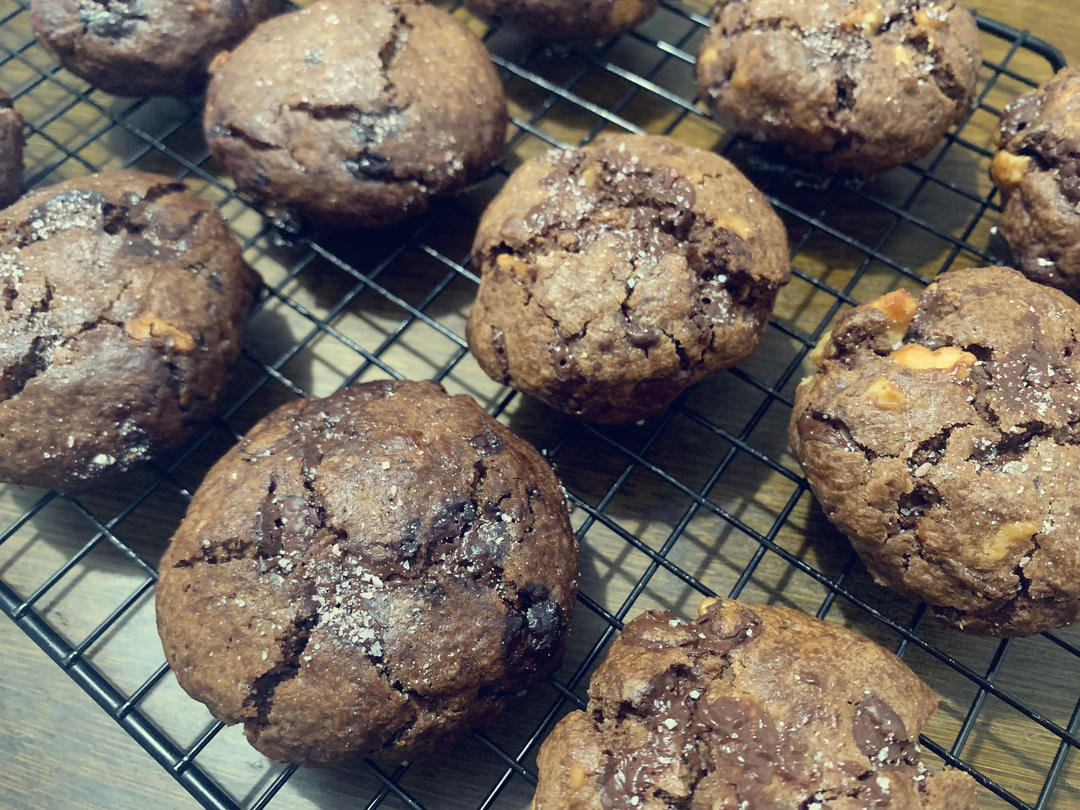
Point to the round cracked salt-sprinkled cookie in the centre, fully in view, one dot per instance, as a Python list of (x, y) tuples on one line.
[(618, 275)]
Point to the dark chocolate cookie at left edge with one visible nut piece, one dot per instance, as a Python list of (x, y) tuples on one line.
[(123, 299)]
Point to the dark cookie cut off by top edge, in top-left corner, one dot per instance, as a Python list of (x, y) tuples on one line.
[(145, 47)]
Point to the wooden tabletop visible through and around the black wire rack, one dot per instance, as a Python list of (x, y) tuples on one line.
[(61, 751)]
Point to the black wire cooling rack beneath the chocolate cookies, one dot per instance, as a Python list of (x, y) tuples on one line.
[(701, 499)]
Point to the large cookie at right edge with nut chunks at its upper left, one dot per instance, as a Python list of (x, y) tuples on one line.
[(942, 436)]
